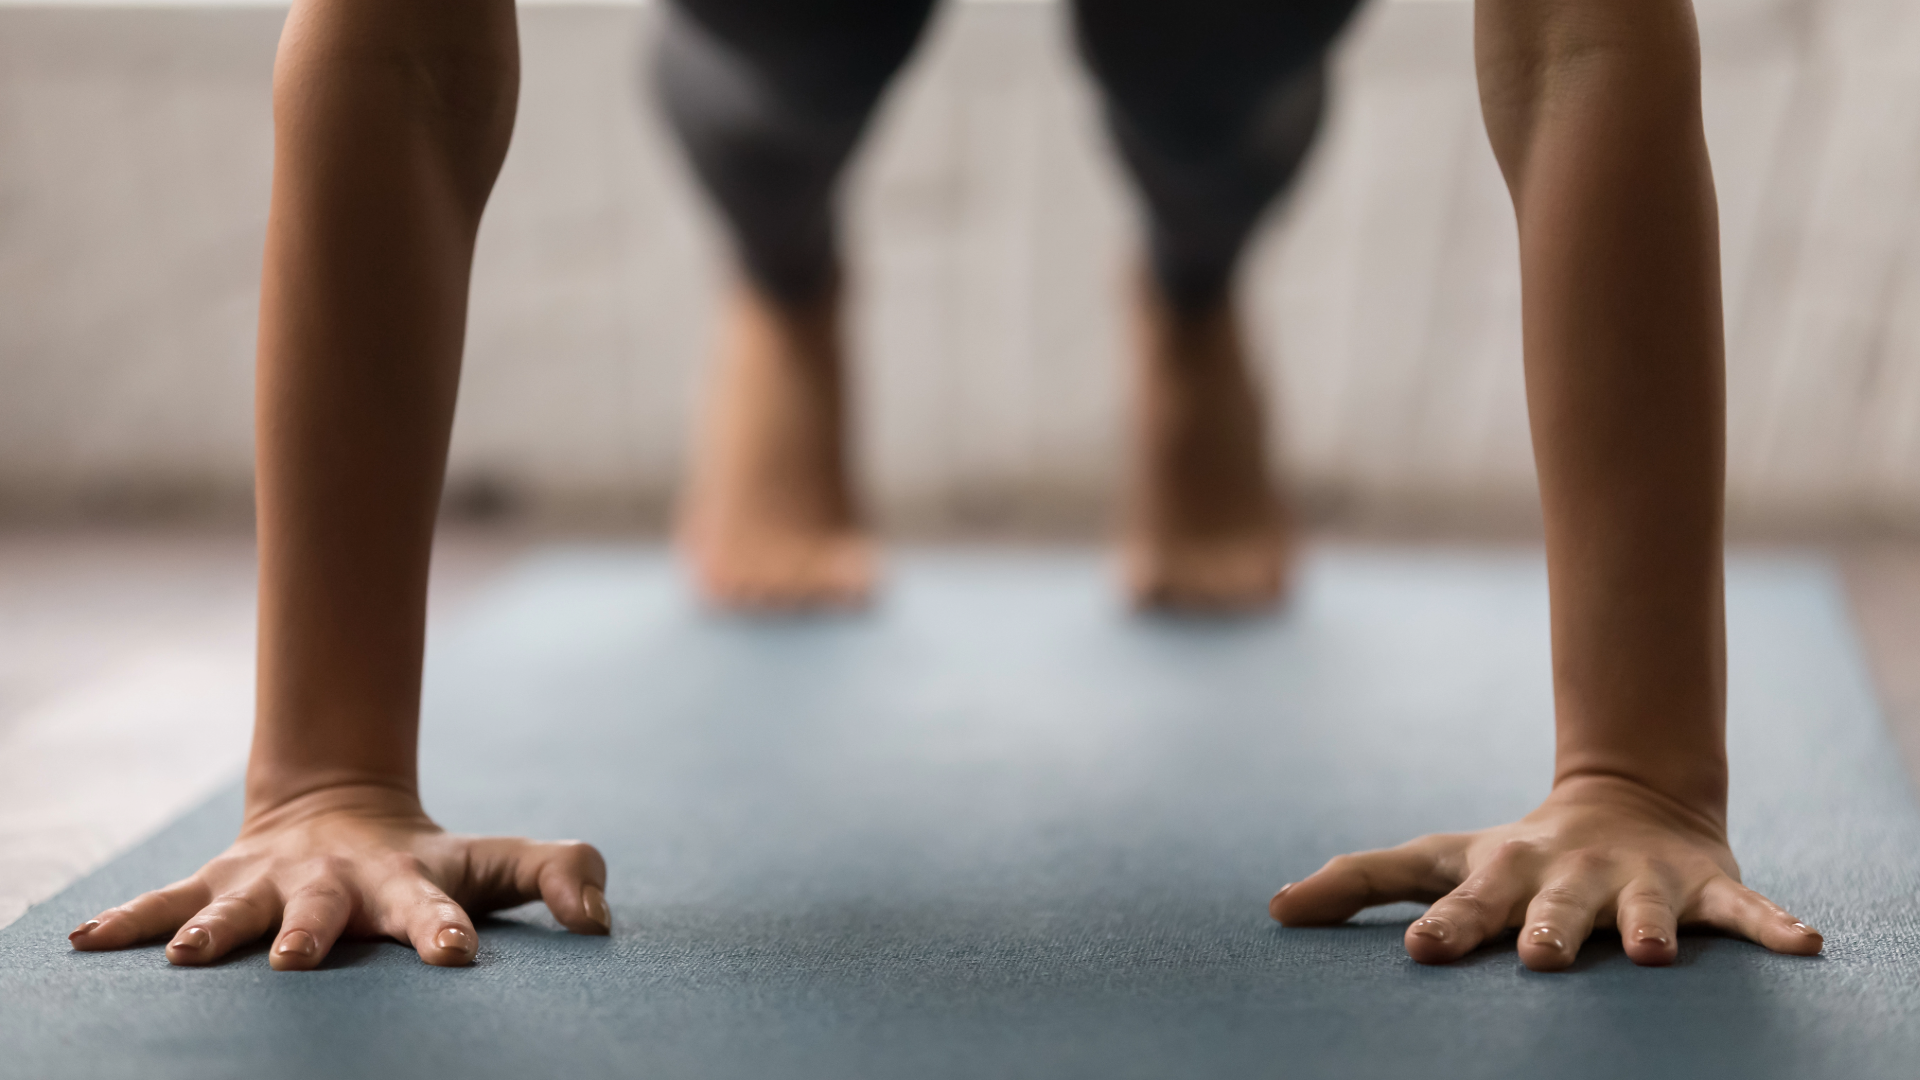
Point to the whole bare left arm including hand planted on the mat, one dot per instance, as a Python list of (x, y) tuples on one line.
[(393, 120)]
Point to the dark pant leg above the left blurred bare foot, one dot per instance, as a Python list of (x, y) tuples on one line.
[(769, 101)]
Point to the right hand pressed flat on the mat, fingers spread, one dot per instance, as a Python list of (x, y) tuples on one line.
[(1598, 852)]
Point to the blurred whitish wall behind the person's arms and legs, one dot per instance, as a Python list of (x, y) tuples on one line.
[(992, 245)]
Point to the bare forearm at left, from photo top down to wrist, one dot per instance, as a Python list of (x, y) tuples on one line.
[(391, 122)]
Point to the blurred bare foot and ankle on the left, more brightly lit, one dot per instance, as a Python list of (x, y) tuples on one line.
[(771, 520)]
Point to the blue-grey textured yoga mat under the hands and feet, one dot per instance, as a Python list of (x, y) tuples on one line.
[(999, 829)]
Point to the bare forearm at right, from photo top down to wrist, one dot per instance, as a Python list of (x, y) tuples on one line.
[(1595, 116)]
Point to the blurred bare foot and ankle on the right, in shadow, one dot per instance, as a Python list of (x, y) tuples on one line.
[(1207, 529)]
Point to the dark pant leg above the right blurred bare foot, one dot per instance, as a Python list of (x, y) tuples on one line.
[(1212, 107)]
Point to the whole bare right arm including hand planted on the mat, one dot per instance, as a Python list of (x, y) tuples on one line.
[(1595, 114)]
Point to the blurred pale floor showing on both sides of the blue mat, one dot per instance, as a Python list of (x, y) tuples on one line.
[(126, 677)]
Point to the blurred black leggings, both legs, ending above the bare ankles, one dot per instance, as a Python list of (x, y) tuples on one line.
[(1211, 103)]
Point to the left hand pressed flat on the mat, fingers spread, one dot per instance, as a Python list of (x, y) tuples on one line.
[(360, 862)]
